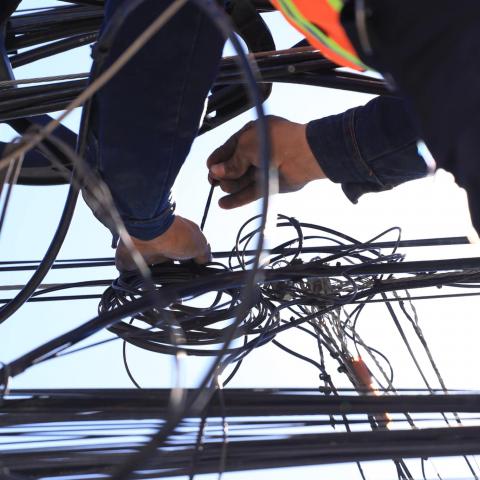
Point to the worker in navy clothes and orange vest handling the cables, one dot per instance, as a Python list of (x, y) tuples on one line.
[(147, 117)]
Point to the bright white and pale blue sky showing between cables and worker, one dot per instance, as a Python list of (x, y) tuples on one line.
[(431, 207)]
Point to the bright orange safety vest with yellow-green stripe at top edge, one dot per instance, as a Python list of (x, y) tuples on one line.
[(319, 21)]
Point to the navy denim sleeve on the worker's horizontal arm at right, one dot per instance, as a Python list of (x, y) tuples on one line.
[(368, 149)]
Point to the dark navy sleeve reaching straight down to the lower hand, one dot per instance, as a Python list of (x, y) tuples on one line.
[(148, 116)]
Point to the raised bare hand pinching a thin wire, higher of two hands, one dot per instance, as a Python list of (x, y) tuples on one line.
[(235, 165)]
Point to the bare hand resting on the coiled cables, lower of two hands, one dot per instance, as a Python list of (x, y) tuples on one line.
[(182, 241)]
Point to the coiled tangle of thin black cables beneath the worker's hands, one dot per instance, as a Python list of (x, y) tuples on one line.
[(292, 285)]
